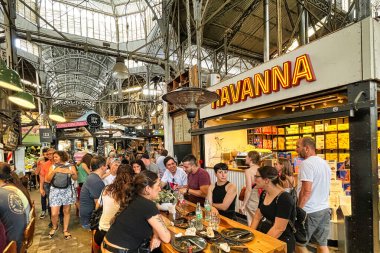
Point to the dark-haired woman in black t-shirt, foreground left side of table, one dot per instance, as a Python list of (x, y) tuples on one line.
[(139, 227)]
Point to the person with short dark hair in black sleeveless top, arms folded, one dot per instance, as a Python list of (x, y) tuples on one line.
[(222, 194)]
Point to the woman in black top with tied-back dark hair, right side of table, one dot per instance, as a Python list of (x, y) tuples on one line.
[(276, 206)]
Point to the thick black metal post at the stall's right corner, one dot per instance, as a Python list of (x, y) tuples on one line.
[(364, 171)]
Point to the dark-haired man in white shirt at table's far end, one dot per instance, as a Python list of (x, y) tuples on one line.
[(173, 176)]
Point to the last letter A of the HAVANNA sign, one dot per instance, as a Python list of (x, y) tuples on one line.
[(303, 70)]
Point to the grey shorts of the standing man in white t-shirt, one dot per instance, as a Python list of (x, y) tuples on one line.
[(318, 229)]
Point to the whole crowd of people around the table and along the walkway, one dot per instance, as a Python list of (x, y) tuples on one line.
[(126, 191)]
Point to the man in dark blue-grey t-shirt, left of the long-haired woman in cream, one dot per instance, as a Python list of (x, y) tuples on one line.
[(91, 190)]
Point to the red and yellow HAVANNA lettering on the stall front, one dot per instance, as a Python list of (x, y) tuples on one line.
[(271, 80)]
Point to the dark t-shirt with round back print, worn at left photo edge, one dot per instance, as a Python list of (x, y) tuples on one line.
[(12, 215)]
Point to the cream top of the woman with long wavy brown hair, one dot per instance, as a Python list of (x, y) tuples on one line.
[(110, 208)]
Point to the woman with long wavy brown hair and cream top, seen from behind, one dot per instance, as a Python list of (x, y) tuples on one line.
[(112, 198)]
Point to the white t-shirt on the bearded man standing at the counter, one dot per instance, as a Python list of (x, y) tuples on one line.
[(316, 170)]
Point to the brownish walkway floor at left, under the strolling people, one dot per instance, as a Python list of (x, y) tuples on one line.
[(80, 242)]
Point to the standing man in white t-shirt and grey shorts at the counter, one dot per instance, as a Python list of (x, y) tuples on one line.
[(313, 194)]
